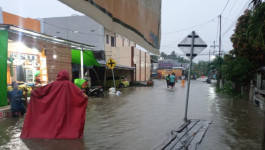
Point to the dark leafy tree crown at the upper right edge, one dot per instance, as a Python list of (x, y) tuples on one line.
[(248, 36)]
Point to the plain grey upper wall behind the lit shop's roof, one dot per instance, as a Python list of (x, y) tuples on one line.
[(80, 29)]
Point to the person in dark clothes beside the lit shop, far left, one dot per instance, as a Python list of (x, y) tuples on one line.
[(15, 99)]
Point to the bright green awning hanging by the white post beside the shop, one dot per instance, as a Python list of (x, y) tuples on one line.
[(88, 58)]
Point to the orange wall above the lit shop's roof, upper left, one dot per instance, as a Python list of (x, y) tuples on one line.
[(26, 23)]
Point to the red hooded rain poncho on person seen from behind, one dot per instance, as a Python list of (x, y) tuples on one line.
[(55, 111)]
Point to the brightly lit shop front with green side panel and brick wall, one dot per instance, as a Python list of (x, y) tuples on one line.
[(26, 55)]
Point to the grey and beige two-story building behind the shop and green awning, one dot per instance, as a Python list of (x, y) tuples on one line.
[(132, 63)]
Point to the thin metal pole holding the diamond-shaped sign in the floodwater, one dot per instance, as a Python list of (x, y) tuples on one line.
[(188, 88)]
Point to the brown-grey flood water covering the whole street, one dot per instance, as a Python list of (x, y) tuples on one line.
[(140, 118)]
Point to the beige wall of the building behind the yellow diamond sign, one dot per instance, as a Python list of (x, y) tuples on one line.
[(121, 53)]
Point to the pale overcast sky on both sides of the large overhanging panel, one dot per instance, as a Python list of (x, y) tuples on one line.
[(179, 18)]
